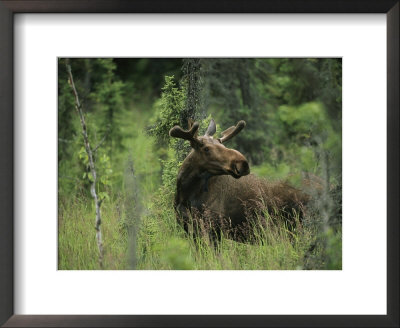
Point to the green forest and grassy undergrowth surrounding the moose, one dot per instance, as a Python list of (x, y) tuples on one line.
[(116, 157)]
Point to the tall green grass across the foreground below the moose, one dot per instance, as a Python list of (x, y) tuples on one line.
[(163, 244)]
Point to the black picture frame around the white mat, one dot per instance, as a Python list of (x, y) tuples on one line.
[(11, 7)]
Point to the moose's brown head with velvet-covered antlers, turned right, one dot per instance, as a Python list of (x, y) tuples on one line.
[(209, 156)]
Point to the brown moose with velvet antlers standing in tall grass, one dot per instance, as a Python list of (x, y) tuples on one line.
[(214, 185)]
